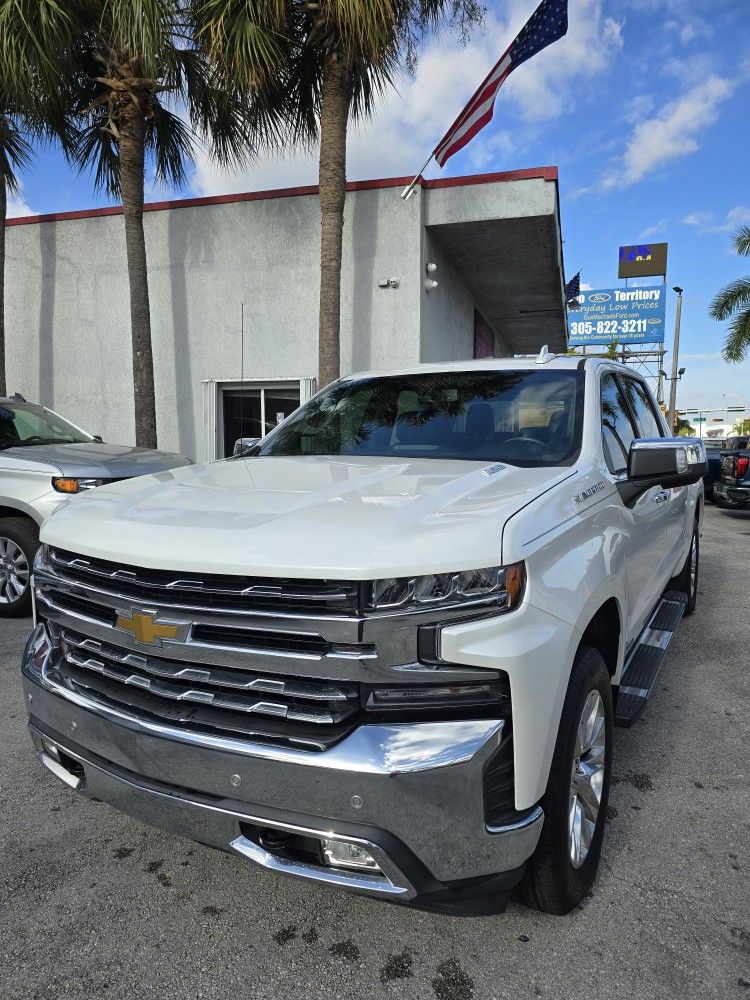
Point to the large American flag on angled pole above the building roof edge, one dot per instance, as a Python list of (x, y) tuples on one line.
[(548, 23)]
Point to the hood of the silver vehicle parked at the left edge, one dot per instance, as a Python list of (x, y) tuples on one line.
[(91, 460)]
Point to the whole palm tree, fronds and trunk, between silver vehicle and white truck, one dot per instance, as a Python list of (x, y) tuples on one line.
[(141, 95)]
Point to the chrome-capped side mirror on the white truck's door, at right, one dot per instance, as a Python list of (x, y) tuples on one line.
[(665, 462)]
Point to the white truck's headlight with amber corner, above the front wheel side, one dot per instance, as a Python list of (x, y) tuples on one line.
[(500, 585)]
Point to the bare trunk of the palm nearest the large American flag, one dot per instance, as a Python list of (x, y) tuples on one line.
[(336, 97)]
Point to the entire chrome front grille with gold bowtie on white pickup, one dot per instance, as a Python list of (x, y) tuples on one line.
[(268, 660)]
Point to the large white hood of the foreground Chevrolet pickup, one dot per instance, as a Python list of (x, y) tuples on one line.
[(314, 517)]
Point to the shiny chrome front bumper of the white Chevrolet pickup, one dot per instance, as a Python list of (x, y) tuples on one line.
[(412, 792)]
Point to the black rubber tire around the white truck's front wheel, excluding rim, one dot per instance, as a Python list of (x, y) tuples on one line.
[(551, 883)]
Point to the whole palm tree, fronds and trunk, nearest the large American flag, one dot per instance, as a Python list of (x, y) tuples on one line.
[(324, 64)]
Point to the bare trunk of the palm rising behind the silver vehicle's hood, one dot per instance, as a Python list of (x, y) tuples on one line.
[(132, 167)]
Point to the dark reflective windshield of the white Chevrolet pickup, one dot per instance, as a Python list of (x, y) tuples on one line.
[(526, 418)]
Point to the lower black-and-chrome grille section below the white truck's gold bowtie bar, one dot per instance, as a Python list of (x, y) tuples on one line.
[(233, 701)]
